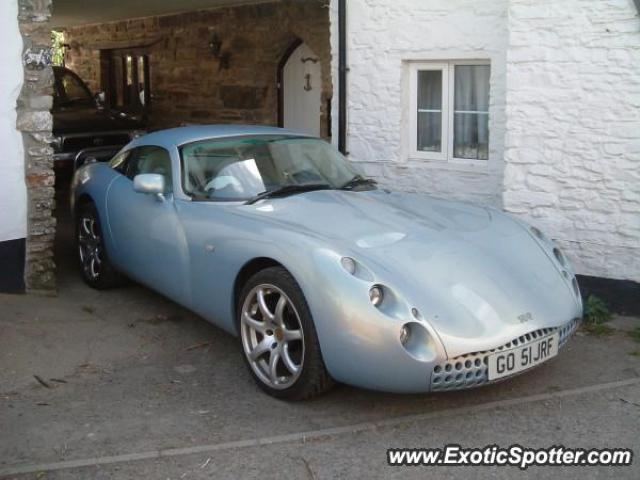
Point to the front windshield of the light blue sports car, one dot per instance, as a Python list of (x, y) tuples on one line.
[(241, 168)]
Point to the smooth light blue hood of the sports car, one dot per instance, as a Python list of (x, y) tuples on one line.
[(476, 275)]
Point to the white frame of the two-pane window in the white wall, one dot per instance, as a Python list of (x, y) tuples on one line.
[(448, 90)]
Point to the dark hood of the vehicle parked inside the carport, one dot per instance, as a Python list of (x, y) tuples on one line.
[(88, 119)]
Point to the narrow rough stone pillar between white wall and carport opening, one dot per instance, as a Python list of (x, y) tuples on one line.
[(34, 121)]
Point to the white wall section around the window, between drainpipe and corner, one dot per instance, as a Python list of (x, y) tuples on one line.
[(383, 37)]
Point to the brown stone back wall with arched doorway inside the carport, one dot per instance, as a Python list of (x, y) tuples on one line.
[(187, 83)]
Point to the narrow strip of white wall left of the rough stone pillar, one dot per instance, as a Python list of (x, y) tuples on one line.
[(13, 191)]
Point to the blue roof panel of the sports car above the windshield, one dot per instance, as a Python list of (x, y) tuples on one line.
[(174, 137)]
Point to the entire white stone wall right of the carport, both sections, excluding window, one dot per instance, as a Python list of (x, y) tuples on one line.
[(565, 112)]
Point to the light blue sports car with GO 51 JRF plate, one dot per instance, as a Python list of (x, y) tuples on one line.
[(276, 238)]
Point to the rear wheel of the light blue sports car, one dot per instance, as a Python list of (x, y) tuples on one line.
[(93, 261)]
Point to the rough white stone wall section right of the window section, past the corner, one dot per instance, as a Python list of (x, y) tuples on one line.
[(573, 128)]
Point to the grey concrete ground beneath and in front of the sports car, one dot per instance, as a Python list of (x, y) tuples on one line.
[(138, 387)]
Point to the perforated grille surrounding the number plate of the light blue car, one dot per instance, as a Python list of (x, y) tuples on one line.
[(470, 370)]
